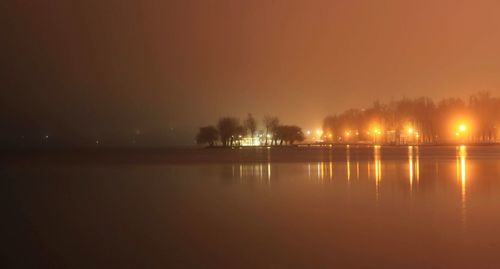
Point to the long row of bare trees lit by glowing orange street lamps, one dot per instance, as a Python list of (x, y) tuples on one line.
[(474, 120)]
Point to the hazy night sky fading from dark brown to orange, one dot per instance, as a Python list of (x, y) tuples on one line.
[(117, 70)]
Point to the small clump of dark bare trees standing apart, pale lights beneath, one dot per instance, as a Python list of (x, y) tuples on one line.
[(230, 131)]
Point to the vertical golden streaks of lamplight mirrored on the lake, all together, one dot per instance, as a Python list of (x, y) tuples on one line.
[(347, 165)]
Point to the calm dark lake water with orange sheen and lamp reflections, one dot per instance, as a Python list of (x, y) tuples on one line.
[(405, 207)]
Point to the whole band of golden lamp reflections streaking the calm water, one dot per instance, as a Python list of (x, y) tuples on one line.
[(376, 171)]
